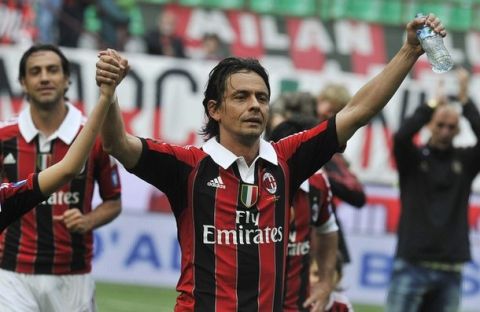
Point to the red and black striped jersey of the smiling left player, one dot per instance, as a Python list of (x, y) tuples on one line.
[(35, 244)]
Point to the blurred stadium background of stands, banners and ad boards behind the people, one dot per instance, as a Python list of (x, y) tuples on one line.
[(304, 44)]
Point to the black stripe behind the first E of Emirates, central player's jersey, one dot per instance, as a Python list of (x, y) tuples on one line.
[(204, 198)]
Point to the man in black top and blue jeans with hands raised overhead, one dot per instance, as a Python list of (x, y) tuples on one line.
[(435, 186)]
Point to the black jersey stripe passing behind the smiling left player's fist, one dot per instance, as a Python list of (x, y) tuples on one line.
[(79, 247)]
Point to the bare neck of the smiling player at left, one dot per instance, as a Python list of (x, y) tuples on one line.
[(48, 121)]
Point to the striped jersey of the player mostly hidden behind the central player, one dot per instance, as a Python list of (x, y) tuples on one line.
[(311, 207)]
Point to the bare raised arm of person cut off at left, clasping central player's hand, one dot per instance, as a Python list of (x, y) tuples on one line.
[(53, 177)]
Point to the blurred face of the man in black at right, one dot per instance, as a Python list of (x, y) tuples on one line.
[(444, 127)]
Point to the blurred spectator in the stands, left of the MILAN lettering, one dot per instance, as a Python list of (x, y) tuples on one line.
[(162, 40)]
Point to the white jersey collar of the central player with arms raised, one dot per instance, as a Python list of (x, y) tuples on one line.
[(225, 158)]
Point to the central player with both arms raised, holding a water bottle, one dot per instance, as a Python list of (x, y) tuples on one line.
[(231, 198)]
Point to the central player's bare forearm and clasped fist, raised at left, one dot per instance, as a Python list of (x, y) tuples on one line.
[(125, 147)]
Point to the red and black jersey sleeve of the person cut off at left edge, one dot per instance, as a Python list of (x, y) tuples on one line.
[(17, 198)]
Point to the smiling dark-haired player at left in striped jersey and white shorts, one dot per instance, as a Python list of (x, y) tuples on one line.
[(45, 256)]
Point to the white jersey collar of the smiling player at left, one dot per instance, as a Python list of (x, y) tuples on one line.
[(66, 132)]
